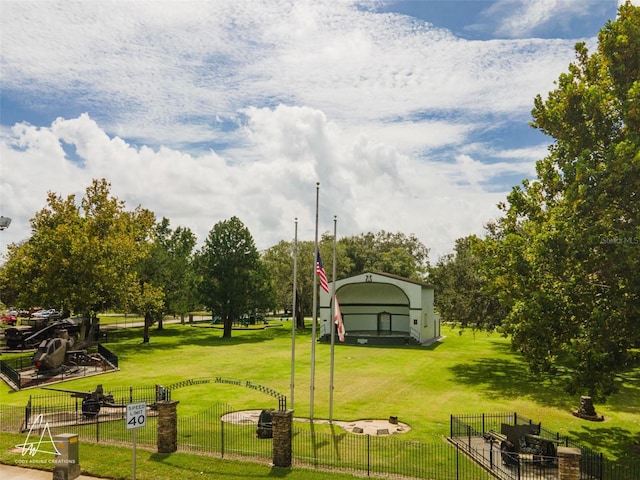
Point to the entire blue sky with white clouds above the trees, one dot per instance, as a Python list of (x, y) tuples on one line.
[(413, 115)]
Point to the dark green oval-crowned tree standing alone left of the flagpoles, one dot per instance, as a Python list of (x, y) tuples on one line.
[(233, 281)]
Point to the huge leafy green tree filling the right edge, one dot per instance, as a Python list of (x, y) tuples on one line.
[(567, 251)]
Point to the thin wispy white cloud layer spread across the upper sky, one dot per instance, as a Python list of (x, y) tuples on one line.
[(164, 75)]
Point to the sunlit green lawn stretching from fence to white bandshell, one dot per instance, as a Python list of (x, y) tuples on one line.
[(422, 386)]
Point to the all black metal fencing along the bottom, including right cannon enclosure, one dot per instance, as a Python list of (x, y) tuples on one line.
[(221, 430)]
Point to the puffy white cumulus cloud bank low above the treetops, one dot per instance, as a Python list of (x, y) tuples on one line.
[(367, 183)]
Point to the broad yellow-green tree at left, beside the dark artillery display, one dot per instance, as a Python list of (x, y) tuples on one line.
[(80, 259)]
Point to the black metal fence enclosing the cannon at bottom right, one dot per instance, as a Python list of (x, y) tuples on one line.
[(468, 432)]
